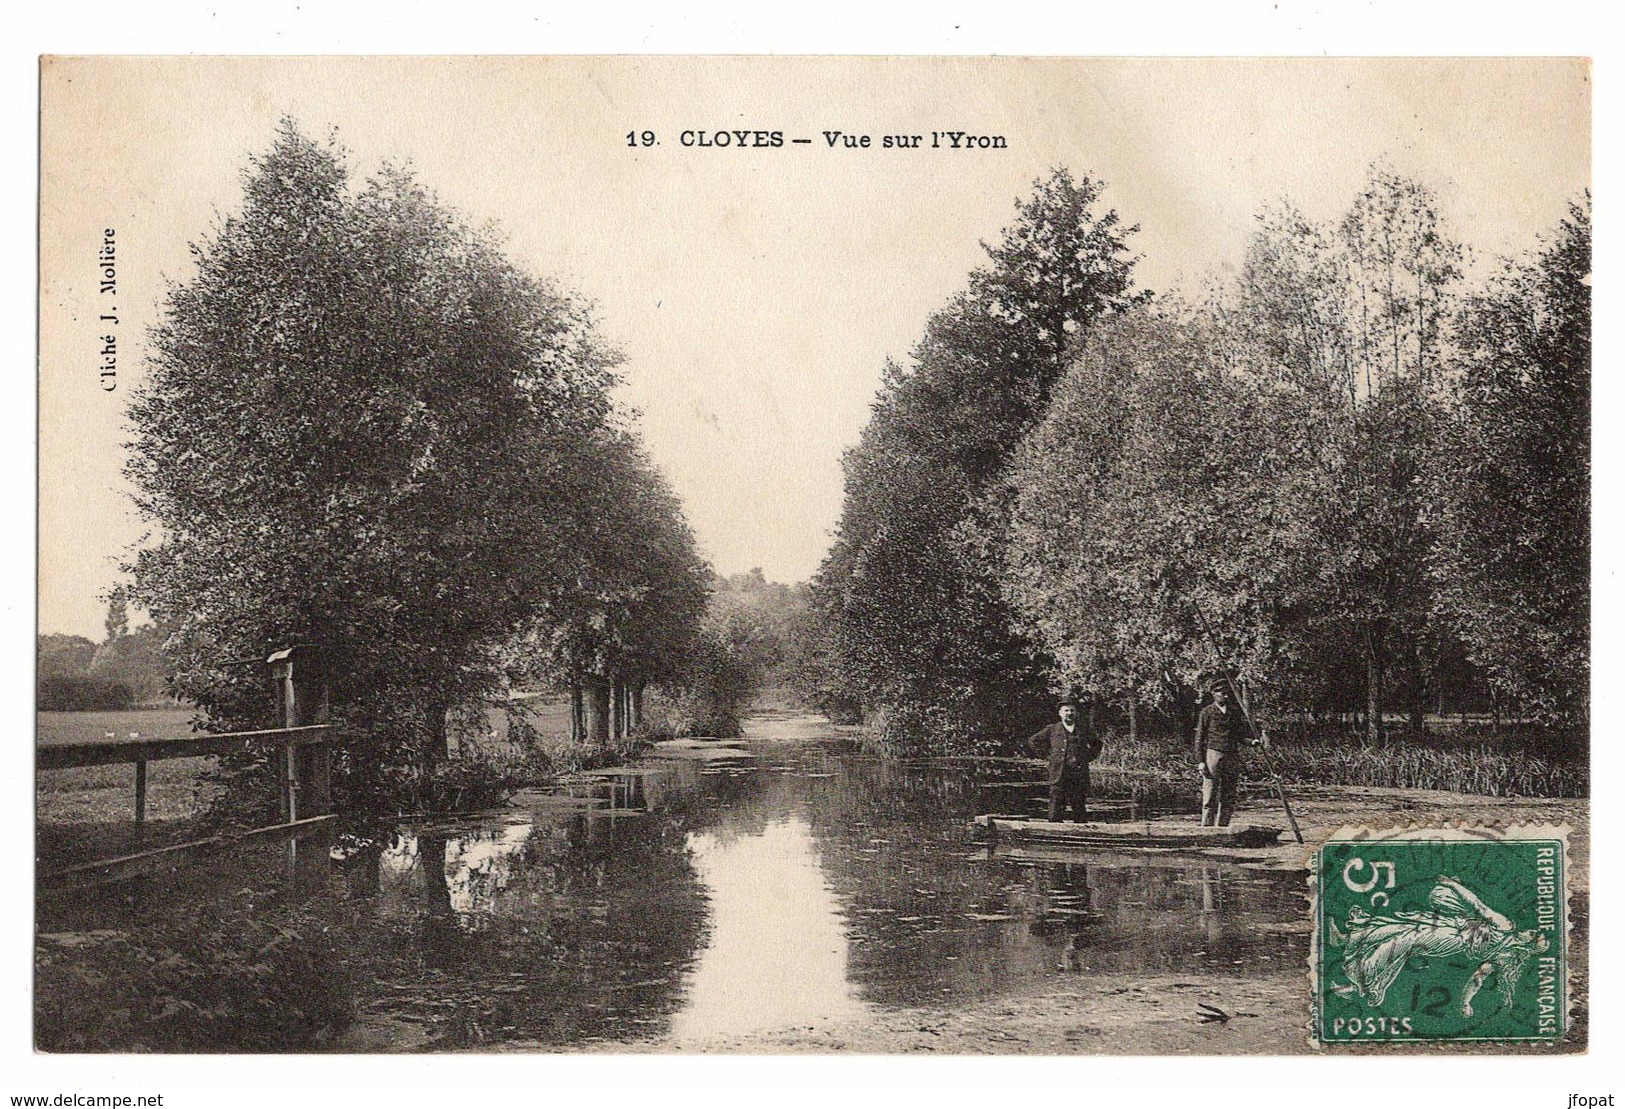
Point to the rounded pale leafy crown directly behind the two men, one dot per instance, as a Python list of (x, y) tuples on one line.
[(1133, 515)]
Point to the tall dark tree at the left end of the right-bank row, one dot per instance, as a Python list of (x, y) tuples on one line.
[(914, 611)]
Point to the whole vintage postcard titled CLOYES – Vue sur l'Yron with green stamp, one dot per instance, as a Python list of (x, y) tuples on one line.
[(804, 555)]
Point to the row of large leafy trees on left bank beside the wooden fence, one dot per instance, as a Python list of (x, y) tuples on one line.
[(366, 430)]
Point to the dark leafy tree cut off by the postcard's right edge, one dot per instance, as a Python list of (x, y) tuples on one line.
[(1512, 482)]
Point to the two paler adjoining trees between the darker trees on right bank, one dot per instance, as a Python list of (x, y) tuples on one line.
[(1239, 484)]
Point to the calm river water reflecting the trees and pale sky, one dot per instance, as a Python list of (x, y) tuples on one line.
[(773, 882)]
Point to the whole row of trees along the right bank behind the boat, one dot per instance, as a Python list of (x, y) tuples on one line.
[(1367, 479)]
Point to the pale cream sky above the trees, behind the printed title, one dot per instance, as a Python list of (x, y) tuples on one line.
[(756, 294)]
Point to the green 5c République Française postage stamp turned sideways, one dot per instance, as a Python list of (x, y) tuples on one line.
[(1447, 936)]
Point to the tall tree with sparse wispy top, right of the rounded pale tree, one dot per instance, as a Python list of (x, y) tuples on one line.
[(1348, 329)]
